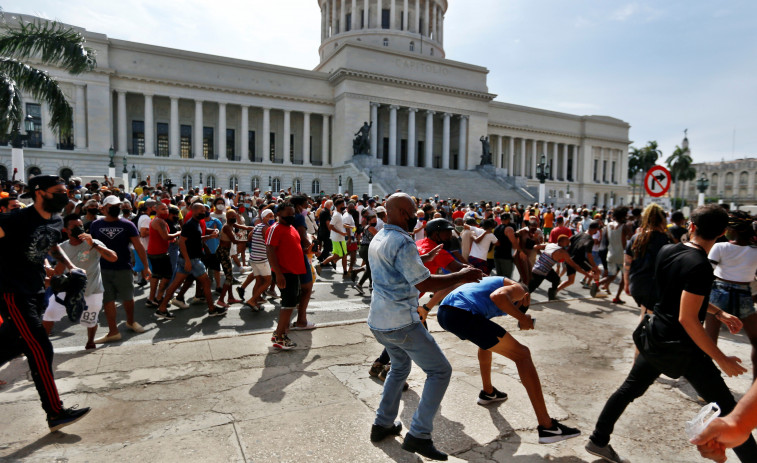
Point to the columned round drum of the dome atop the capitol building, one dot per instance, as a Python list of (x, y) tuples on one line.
[(411, 26)]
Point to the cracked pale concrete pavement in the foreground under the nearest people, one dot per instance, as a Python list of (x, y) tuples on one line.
[(235, 399)]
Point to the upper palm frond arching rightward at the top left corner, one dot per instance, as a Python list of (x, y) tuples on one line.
[(52, 43)]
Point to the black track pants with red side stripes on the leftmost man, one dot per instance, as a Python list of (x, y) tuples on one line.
[(22, 332)]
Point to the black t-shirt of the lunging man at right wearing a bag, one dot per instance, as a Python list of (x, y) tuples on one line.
[(680, 268)]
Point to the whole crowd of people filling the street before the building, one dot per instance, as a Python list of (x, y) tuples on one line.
[(222, 242)]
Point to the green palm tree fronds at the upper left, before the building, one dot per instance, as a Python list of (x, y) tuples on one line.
[(48, 44)]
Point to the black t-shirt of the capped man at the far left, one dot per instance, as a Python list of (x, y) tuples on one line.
[(28, 239)]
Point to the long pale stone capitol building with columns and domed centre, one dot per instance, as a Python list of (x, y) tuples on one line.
[(222, 122)]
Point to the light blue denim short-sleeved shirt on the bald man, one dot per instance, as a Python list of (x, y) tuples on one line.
[(396, 268)]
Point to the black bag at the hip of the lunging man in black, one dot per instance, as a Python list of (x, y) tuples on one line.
[(670, 357)]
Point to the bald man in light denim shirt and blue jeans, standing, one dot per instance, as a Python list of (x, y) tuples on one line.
[(399, 276)]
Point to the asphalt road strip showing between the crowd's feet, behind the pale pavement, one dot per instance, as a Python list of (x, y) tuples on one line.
[(334, 301)]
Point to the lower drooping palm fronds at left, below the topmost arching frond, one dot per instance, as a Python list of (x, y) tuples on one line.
[(41, 86)]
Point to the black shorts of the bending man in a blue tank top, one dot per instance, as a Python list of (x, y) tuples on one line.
[(466, 325)]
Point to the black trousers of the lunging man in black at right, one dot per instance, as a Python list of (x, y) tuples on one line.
[(702, 374)]
